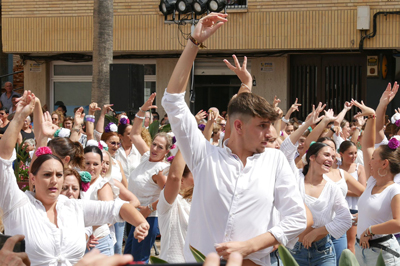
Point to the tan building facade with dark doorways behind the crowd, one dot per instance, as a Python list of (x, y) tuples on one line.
[(297, 49)]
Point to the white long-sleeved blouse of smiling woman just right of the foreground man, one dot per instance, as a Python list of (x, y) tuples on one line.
[(330, 209)]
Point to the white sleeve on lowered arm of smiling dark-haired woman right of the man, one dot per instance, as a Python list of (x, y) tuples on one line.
[(342, 221)]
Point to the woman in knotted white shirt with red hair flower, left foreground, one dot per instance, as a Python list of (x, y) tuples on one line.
[(53, 225)]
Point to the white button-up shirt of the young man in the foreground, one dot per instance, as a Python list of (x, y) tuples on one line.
[(232, 202)]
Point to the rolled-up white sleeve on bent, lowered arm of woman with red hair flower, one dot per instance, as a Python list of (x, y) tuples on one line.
[(102, 212)]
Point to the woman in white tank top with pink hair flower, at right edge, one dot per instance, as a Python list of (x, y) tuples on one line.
[(379, 208)]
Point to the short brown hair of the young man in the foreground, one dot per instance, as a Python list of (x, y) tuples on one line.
[(249, 104)]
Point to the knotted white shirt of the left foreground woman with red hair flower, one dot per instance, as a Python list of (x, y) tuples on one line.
[(47, 244)]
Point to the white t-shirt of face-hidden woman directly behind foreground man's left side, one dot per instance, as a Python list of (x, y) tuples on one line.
[(173, 221)]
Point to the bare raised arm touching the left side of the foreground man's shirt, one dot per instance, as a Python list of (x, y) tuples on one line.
[(173, 184)]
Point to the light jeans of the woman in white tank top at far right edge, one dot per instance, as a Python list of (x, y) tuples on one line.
[(369, 256)]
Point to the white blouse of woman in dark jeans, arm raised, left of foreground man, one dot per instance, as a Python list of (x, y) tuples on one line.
[(141, 182)]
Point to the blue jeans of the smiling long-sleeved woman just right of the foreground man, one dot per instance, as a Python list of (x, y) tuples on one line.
[(321, 253)]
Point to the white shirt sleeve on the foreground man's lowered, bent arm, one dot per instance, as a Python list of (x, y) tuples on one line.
[(290, 205)]
